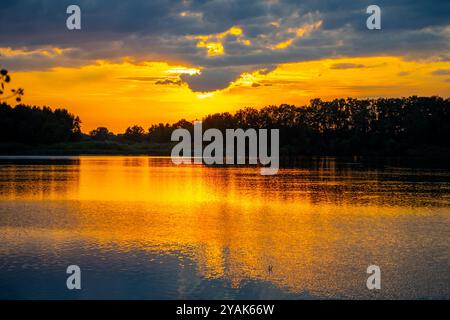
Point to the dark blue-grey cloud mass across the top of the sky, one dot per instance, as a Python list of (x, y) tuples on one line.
[(167, 30)]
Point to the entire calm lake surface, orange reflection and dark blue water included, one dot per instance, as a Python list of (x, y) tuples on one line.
[(141, 228)]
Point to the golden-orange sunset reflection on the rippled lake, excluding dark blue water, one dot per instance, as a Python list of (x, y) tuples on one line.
[(319, 228)]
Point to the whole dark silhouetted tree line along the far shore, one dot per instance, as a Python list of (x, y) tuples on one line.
[(383, 126)]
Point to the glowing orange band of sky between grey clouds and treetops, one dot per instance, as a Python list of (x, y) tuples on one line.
[(117, 95)]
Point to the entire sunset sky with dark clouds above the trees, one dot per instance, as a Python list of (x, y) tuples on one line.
[(144, 62)]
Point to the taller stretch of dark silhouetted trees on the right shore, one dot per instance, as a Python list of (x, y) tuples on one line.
[(341, 126)]
